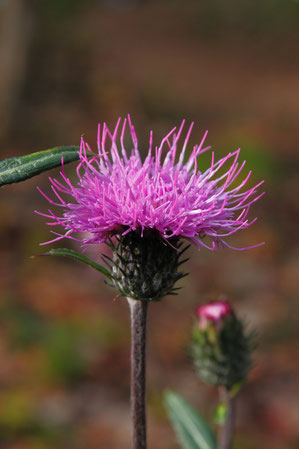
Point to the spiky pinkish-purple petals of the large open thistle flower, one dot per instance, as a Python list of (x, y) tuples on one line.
[(117, 193)]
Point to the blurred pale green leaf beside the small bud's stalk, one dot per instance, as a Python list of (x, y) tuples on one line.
[(191, 429)]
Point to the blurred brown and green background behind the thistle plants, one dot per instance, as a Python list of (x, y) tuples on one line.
[(66, 65)]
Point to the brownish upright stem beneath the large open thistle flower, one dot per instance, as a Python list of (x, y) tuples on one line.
[(138, 363)]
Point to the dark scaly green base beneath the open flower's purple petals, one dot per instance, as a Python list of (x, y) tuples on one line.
[(146, 267)]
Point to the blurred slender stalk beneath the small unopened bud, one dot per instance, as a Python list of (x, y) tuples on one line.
[(226, 432)]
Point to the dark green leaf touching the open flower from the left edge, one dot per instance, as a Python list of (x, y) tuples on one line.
[(16, 169)]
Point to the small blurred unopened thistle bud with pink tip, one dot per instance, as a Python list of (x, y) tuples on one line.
[(220, 347)]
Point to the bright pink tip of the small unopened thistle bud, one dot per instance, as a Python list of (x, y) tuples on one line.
[(213, 313)]
